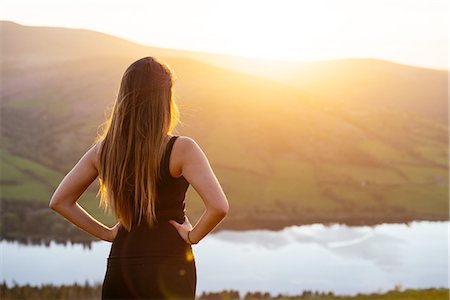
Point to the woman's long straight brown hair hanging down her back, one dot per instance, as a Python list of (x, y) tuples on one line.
[(133, 141)]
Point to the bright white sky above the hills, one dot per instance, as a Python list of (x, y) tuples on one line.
[(413, 32)]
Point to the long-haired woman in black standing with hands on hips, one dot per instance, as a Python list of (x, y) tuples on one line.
[(144, 172)]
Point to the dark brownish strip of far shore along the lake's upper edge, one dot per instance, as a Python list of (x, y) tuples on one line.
[(34, 223)]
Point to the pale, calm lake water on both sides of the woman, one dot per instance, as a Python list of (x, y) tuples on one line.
[(338, 258)]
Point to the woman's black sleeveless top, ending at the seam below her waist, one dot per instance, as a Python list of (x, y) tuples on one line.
[(163, 239)]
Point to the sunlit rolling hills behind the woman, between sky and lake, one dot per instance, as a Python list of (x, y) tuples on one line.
[(354, 141)]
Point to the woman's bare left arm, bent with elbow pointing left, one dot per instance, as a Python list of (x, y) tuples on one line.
[(64, 199)]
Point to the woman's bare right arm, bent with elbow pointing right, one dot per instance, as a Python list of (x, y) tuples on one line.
[(198, 172)]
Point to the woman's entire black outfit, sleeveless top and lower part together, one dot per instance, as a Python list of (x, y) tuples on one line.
[(154, 263)]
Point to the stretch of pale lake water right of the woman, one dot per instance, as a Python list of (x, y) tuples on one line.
[(338, 258)]
